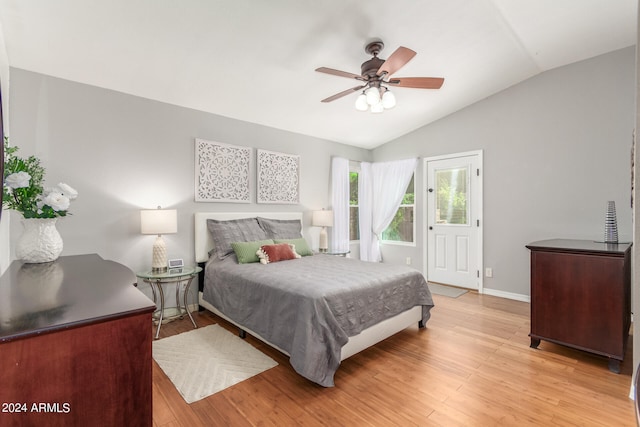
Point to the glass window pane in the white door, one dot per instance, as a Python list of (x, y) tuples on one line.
[(452, 197)]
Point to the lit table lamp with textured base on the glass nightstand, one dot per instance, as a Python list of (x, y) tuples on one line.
[(159, 221)]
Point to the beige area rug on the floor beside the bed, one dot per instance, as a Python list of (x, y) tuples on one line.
[(207, 360)]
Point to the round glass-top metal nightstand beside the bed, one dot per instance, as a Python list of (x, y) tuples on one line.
[(181, 277)]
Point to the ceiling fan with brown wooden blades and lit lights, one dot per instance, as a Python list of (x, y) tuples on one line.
[(376, 76)]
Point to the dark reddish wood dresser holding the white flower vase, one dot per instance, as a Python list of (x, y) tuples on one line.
[(75, 345)]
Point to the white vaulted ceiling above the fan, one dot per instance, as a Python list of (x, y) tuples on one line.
[(254, 60)]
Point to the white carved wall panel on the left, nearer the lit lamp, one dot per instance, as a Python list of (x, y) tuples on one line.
[(222, 172)]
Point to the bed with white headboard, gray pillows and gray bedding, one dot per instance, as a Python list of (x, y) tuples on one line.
[(317, 309)]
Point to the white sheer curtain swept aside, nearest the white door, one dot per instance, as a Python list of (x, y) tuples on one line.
[(381, 187)]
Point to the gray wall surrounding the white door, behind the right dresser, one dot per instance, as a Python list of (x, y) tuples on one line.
[(556, 148)]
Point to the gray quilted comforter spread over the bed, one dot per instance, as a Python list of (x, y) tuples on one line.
[(309, 307)]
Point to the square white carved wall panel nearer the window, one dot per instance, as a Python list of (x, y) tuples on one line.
[(278, 177)]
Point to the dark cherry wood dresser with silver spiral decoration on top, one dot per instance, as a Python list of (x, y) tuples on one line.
[(581, 296)]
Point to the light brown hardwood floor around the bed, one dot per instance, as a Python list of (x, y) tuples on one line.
[(471, 366)]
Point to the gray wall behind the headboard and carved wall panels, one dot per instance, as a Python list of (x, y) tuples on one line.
[(124, 153)]
